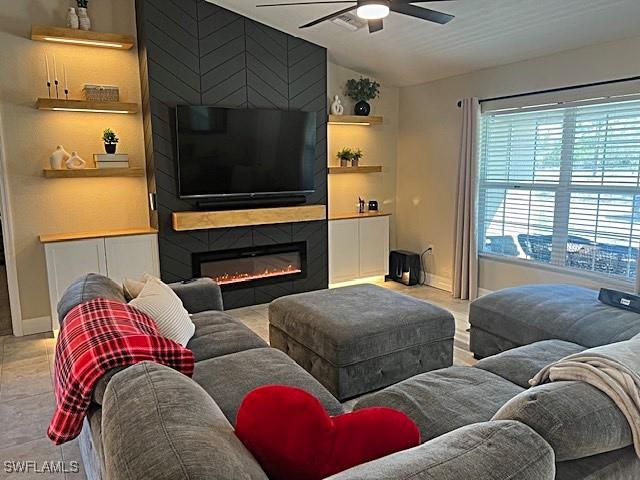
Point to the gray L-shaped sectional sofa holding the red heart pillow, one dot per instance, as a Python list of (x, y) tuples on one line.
[(150, 422)]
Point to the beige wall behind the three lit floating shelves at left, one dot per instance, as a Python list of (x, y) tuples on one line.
[(29, 136)]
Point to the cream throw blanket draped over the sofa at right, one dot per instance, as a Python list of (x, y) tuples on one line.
[(614, 369)]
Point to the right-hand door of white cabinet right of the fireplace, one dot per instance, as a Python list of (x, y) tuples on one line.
[(374, 246)]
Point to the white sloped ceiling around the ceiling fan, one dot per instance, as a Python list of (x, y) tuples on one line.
[(485, 33)]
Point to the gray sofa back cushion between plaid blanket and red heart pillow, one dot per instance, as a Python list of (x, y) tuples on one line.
[(158, 424)]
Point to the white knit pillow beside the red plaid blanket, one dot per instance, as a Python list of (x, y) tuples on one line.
[(162, 304)]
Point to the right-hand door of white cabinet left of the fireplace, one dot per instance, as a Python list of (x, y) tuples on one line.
[(131, 257)]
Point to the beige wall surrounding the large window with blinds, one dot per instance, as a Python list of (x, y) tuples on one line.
[(428, 148)]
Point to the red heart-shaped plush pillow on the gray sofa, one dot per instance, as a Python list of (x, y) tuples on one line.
[(291, 435)]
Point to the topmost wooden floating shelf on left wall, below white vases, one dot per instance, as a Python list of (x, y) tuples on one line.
[(80, 37)]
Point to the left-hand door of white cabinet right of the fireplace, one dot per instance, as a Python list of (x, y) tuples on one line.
[(343, 250)]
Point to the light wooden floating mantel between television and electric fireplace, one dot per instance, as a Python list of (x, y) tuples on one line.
[(185, 221)]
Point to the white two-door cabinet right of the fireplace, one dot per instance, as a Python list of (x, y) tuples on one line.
[(358, 248)]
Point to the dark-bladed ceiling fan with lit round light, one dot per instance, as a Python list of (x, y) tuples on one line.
[(374, 11)]
